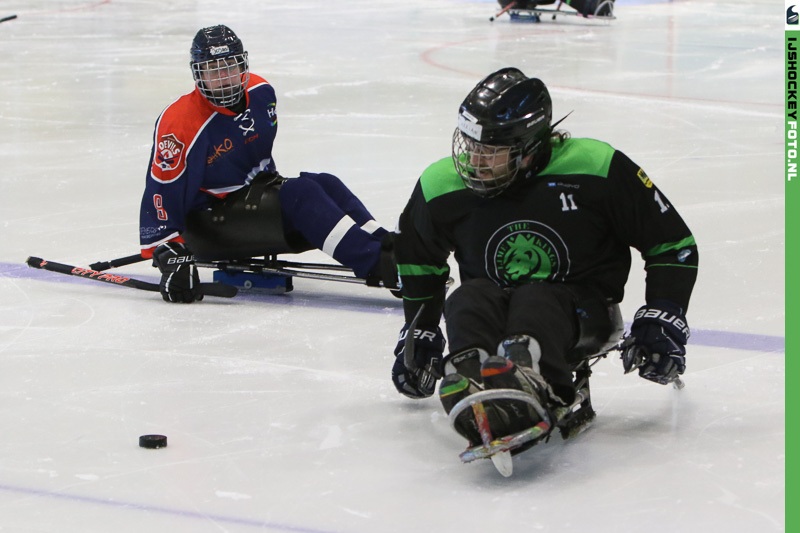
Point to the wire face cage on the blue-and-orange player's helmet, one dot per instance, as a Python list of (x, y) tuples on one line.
[(222, 81)]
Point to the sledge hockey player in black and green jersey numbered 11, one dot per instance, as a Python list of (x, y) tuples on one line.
[(541, 225)]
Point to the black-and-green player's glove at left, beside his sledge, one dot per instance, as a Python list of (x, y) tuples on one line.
[(417, 378)]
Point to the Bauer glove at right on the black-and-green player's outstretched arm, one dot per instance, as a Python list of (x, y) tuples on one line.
[(656, 344)]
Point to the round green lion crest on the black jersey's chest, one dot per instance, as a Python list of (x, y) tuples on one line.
[(524, 251)]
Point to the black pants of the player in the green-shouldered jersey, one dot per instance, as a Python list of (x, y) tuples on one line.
[(479, 314)]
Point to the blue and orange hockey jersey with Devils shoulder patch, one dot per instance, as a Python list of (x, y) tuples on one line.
[(201, 152)]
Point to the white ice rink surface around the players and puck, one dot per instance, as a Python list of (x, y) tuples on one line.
[(279, 409)]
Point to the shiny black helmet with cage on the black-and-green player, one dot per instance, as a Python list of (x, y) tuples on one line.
[(503, 131)]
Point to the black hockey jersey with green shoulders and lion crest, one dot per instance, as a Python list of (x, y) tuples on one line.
[(574, 222)]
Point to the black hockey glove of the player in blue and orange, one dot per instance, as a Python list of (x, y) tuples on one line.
[(180, 282)]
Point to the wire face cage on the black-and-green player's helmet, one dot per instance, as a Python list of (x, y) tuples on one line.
[(487, 170)]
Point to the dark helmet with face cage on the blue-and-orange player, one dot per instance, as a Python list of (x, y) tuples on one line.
[(219, 65)]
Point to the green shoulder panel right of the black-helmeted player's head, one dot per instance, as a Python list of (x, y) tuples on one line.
[(579, 156)]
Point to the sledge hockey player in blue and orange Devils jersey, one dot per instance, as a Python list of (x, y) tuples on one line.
[(212, 187)]
